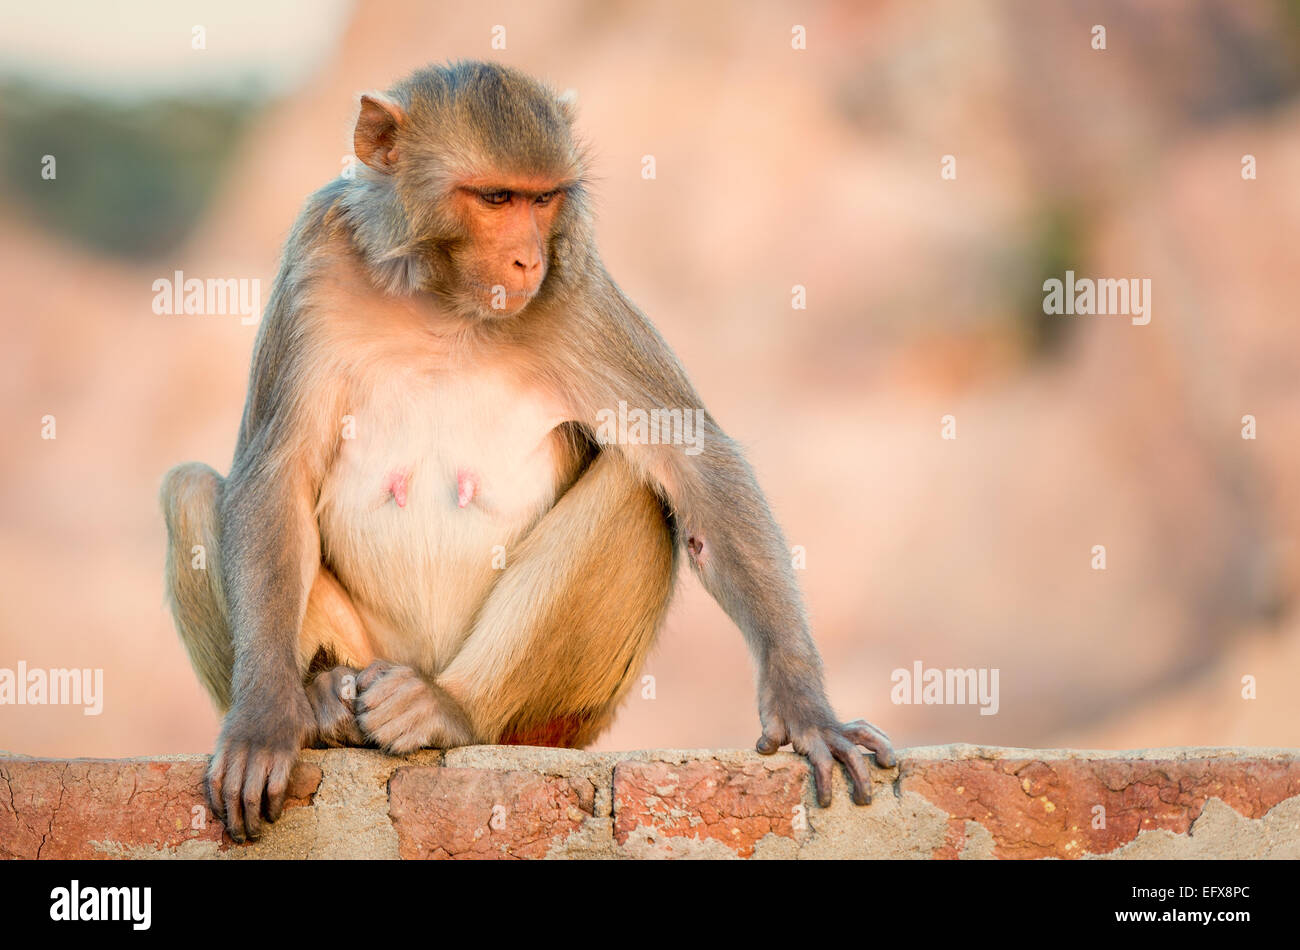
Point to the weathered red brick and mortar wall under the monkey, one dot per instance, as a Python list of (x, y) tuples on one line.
[(514, 802)]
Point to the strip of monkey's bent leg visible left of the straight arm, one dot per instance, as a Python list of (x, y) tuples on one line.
[(189, 497)]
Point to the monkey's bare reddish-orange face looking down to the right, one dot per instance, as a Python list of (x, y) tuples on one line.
[(506, 223)]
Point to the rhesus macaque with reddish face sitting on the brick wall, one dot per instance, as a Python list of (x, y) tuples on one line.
[(422, 543)]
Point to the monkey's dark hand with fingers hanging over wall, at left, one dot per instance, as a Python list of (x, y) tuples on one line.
[(249, 775)]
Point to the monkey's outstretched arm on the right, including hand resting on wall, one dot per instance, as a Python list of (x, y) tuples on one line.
[(735, 548)]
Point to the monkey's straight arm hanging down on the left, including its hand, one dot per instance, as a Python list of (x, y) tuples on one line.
[(270, 558)]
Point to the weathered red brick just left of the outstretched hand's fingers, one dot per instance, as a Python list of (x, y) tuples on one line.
[(707, 801)]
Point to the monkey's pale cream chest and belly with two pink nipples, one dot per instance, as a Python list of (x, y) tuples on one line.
[(424, 505)]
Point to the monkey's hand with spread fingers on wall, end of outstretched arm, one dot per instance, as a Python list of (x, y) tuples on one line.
[(811, 726)]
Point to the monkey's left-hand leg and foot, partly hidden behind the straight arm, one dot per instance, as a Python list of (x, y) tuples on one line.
[(332, 631)]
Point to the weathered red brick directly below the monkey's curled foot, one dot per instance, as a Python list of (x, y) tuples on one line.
[(471, 813)]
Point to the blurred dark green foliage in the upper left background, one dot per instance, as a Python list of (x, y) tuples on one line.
[(132, 177)]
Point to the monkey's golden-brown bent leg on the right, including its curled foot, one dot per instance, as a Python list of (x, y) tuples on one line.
[(561, 637)]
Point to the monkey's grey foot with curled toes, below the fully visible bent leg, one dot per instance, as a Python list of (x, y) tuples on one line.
[(401, 712)]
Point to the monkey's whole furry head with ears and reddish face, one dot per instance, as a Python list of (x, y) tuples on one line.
[(473, 188)]
